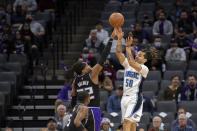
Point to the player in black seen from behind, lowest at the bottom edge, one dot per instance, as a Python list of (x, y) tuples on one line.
[(78, 119)]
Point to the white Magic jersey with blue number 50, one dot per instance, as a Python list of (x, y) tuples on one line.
[(132, 78)]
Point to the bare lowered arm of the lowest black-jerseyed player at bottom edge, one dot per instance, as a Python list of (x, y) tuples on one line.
[(81, 114)]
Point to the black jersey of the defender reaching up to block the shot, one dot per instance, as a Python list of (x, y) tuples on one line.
[(84, 83)]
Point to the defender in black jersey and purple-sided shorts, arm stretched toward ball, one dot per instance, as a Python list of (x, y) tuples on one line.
[(87, 80)]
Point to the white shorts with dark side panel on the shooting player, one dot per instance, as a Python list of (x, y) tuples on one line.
[(131, 107)]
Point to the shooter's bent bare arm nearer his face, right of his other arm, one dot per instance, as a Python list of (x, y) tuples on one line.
[(130, 57)]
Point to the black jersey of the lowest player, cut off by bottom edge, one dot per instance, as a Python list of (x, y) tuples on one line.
[(70, 125)]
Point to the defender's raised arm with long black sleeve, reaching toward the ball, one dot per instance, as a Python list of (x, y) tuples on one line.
[(99, 66)]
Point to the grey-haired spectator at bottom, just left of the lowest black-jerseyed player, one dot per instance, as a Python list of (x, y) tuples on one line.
[(61, 110)]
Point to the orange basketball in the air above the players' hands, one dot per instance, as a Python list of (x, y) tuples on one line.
[(116, 19)]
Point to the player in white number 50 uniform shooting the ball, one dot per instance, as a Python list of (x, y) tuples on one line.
[(131, 103)]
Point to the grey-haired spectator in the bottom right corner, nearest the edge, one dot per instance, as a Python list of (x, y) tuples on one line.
[(182, 126)]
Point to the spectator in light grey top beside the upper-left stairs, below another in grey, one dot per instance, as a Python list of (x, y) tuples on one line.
[(36, 28)]
